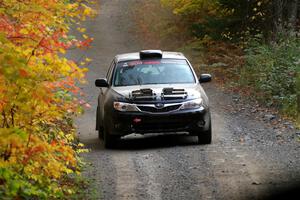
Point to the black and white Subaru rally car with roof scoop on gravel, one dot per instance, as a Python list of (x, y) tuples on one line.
[(152, 92)]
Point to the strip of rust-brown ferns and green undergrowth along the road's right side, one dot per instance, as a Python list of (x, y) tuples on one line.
[(262, 71)]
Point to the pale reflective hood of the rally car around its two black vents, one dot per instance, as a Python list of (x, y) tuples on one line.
[(192, 91)]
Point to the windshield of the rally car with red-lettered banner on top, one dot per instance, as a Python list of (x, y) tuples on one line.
[(162, 71)]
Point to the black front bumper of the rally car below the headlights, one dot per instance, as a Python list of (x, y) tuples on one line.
[(192, 121)]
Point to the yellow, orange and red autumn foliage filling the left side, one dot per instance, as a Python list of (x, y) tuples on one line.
[(39, 154)]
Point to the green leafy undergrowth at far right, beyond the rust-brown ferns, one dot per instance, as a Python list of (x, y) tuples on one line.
[(272, 72)]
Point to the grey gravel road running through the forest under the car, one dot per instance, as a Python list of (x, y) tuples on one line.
[(248, 158)]
